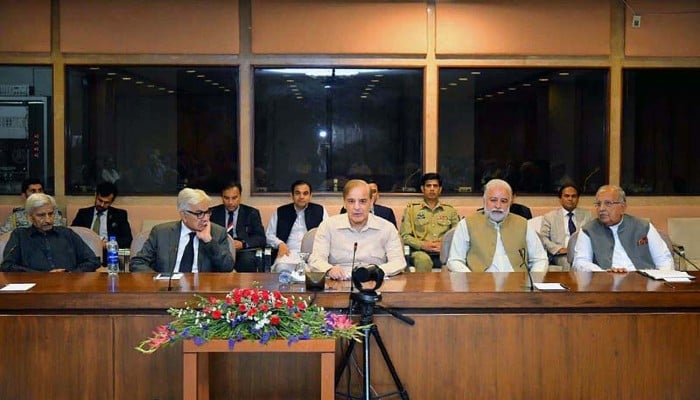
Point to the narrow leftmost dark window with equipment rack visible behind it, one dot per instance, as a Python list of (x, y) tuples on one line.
[(26, 127)]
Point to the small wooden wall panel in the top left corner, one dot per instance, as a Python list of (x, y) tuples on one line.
[(25, 25)]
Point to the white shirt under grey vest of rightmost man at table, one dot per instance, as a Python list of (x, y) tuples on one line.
[(583, 252)]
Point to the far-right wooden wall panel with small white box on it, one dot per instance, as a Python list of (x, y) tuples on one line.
[(668, 28)]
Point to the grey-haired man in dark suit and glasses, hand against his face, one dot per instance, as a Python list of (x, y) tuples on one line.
[(192, 244)]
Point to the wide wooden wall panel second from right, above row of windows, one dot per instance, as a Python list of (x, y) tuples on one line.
[(532, 27)]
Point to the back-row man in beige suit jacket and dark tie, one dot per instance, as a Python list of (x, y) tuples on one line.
[(558, 225)]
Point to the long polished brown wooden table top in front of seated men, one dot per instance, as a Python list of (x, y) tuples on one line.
[(447, 292)]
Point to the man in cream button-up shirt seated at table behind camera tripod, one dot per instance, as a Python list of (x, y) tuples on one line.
[(359, 235)]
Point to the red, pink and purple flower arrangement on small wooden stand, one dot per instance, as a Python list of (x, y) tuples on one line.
[(250, 314)]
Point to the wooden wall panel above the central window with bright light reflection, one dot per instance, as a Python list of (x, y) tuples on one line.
[(339, 27)]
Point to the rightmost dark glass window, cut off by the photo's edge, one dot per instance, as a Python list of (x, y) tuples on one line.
[(660, 131)]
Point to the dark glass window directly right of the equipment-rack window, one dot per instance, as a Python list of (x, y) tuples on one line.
[(151, 129)]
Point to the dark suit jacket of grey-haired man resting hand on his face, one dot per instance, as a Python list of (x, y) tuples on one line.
[(159, 253)]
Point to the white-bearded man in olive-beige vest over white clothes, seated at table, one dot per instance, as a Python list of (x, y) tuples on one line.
[(495, 240)]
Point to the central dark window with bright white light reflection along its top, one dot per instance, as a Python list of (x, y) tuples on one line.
[(330, 125)]
